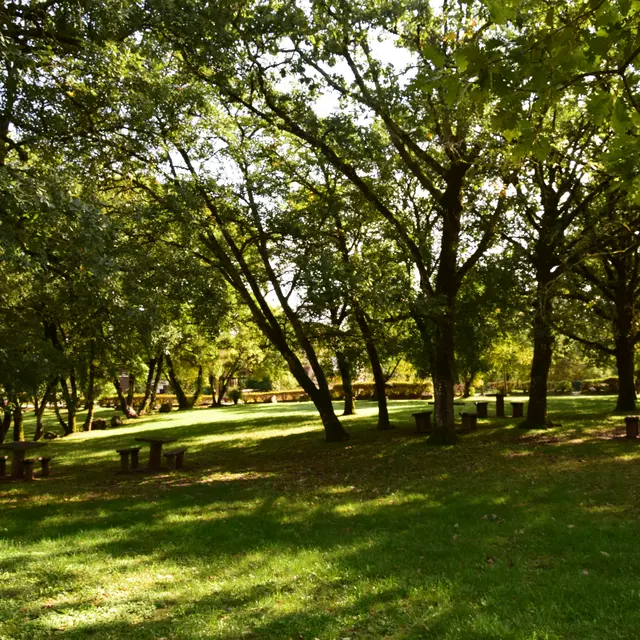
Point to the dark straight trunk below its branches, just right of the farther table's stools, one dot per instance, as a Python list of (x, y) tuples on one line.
[(543, 341)]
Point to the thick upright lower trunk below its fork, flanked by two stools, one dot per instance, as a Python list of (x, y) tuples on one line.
[(443, 380)]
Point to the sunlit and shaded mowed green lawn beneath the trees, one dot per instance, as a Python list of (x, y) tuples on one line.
[(272, 533)]
